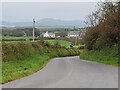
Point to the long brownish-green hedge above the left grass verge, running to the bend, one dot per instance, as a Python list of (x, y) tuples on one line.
[(22, 50)]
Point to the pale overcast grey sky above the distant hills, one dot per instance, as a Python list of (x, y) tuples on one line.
[(25, 11)]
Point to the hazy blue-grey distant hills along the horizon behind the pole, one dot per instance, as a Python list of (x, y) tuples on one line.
[(46, 22)]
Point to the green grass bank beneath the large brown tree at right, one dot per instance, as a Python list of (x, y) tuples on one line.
[(107, 55)]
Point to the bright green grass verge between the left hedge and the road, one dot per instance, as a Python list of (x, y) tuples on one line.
[(13, 70)]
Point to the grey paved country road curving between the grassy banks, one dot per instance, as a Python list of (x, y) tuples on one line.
[(70, 72)]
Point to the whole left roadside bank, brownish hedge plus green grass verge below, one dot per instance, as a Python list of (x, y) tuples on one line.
[(23, 58)]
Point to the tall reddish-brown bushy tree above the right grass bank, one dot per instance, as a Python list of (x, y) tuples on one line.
[(103, 26)]
